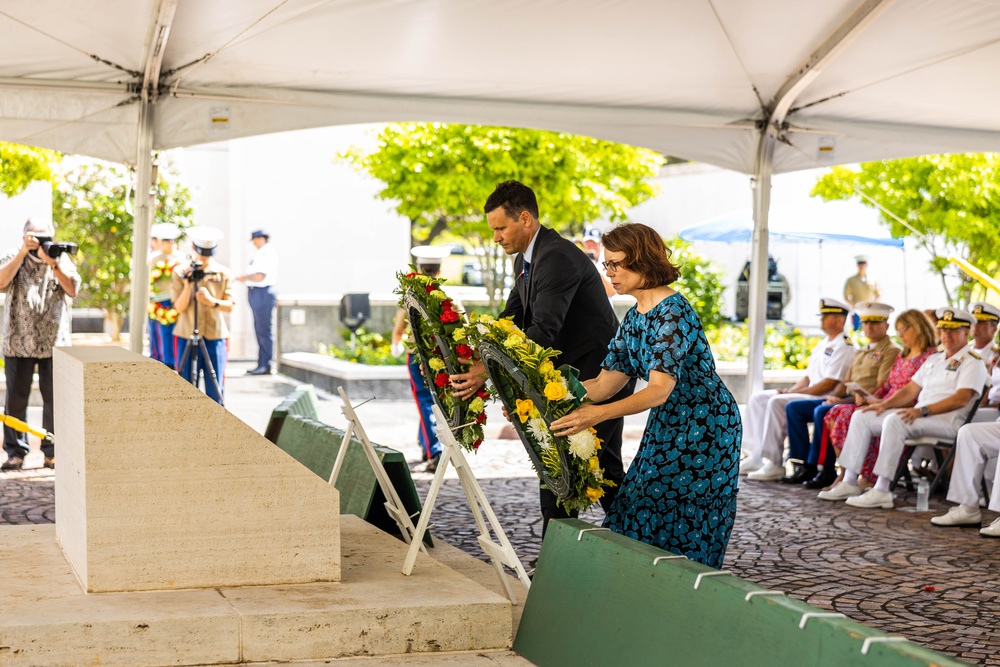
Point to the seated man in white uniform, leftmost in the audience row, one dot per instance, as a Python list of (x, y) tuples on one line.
[(765, 426)]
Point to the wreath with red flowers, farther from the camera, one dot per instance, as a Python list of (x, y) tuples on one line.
[(439, 341)]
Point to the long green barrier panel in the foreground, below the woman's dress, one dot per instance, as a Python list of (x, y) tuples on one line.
[(597, 598)]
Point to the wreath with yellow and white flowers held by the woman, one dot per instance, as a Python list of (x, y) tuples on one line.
[(536, 393)]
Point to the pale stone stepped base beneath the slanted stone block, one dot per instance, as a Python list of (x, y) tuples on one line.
[(47, 619)]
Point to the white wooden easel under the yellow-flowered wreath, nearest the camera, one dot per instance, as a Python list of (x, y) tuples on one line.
[(500, 554)]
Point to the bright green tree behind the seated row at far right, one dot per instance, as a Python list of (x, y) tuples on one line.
[(950, 203)]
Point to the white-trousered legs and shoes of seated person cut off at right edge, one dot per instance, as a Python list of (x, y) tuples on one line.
[(977, 445)]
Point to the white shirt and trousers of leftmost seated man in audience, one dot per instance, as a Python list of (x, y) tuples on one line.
[(766, 423)]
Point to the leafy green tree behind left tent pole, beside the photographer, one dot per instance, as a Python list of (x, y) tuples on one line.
[(93, 204)]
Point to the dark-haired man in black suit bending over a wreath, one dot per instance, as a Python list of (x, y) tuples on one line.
[(558, 300)]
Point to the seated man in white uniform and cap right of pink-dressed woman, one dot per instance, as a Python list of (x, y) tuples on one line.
[(944, 389)]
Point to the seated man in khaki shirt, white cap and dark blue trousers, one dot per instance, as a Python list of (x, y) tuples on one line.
[(869, 369)]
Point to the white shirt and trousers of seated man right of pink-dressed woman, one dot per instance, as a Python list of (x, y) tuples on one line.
[(939, 378)]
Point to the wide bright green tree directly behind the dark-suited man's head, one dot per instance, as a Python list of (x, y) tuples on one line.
[(439, 175)]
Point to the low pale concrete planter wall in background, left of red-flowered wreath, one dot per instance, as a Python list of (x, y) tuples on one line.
[(358, 380)]
